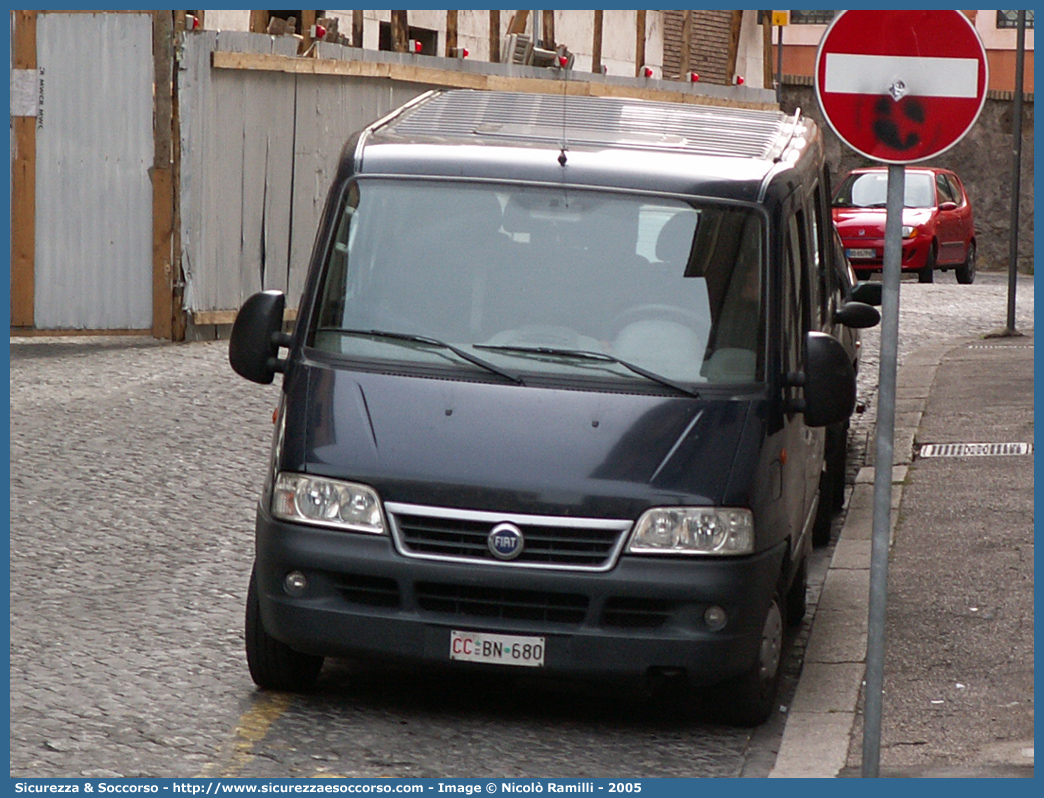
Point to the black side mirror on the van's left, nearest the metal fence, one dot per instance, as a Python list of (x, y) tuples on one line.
[(256, 338)]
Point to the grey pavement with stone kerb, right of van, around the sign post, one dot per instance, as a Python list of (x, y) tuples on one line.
[(959, 682)]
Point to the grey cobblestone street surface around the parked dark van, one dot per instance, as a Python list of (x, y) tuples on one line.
[(135, 468)]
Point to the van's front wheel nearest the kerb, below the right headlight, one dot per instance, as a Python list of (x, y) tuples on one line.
[(750, 698)]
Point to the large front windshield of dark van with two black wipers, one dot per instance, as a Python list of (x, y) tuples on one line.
[(466, 276)]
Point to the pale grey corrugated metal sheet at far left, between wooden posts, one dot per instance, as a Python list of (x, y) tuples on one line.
[(94, 148)]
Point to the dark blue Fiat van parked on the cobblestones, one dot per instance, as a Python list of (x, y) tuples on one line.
[(556, 397)]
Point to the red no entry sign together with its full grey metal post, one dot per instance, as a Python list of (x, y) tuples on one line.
[(897, 87)]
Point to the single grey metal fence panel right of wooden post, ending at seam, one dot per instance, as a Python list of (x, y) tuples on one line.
[(236, 162)]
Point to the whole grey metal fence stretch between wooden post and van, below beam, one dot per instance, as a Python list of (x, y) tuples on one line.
[(253, 146)]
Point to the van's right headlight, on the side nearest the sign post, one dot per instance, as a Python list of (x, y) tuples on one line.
[(694, 531)]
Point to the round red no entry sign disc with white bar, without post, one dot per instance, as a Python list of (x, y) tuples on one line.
[(901, 86)]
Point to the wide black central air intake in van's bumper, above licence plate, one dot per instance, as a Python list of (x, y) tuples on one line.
[(502, 604)]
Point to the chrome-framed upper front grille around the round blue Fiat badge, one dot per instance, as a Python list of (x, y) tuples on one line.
[(584, 545)]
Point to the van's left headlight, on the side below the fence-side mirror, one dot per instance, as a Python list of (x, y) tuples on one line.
[(328, 503)]
